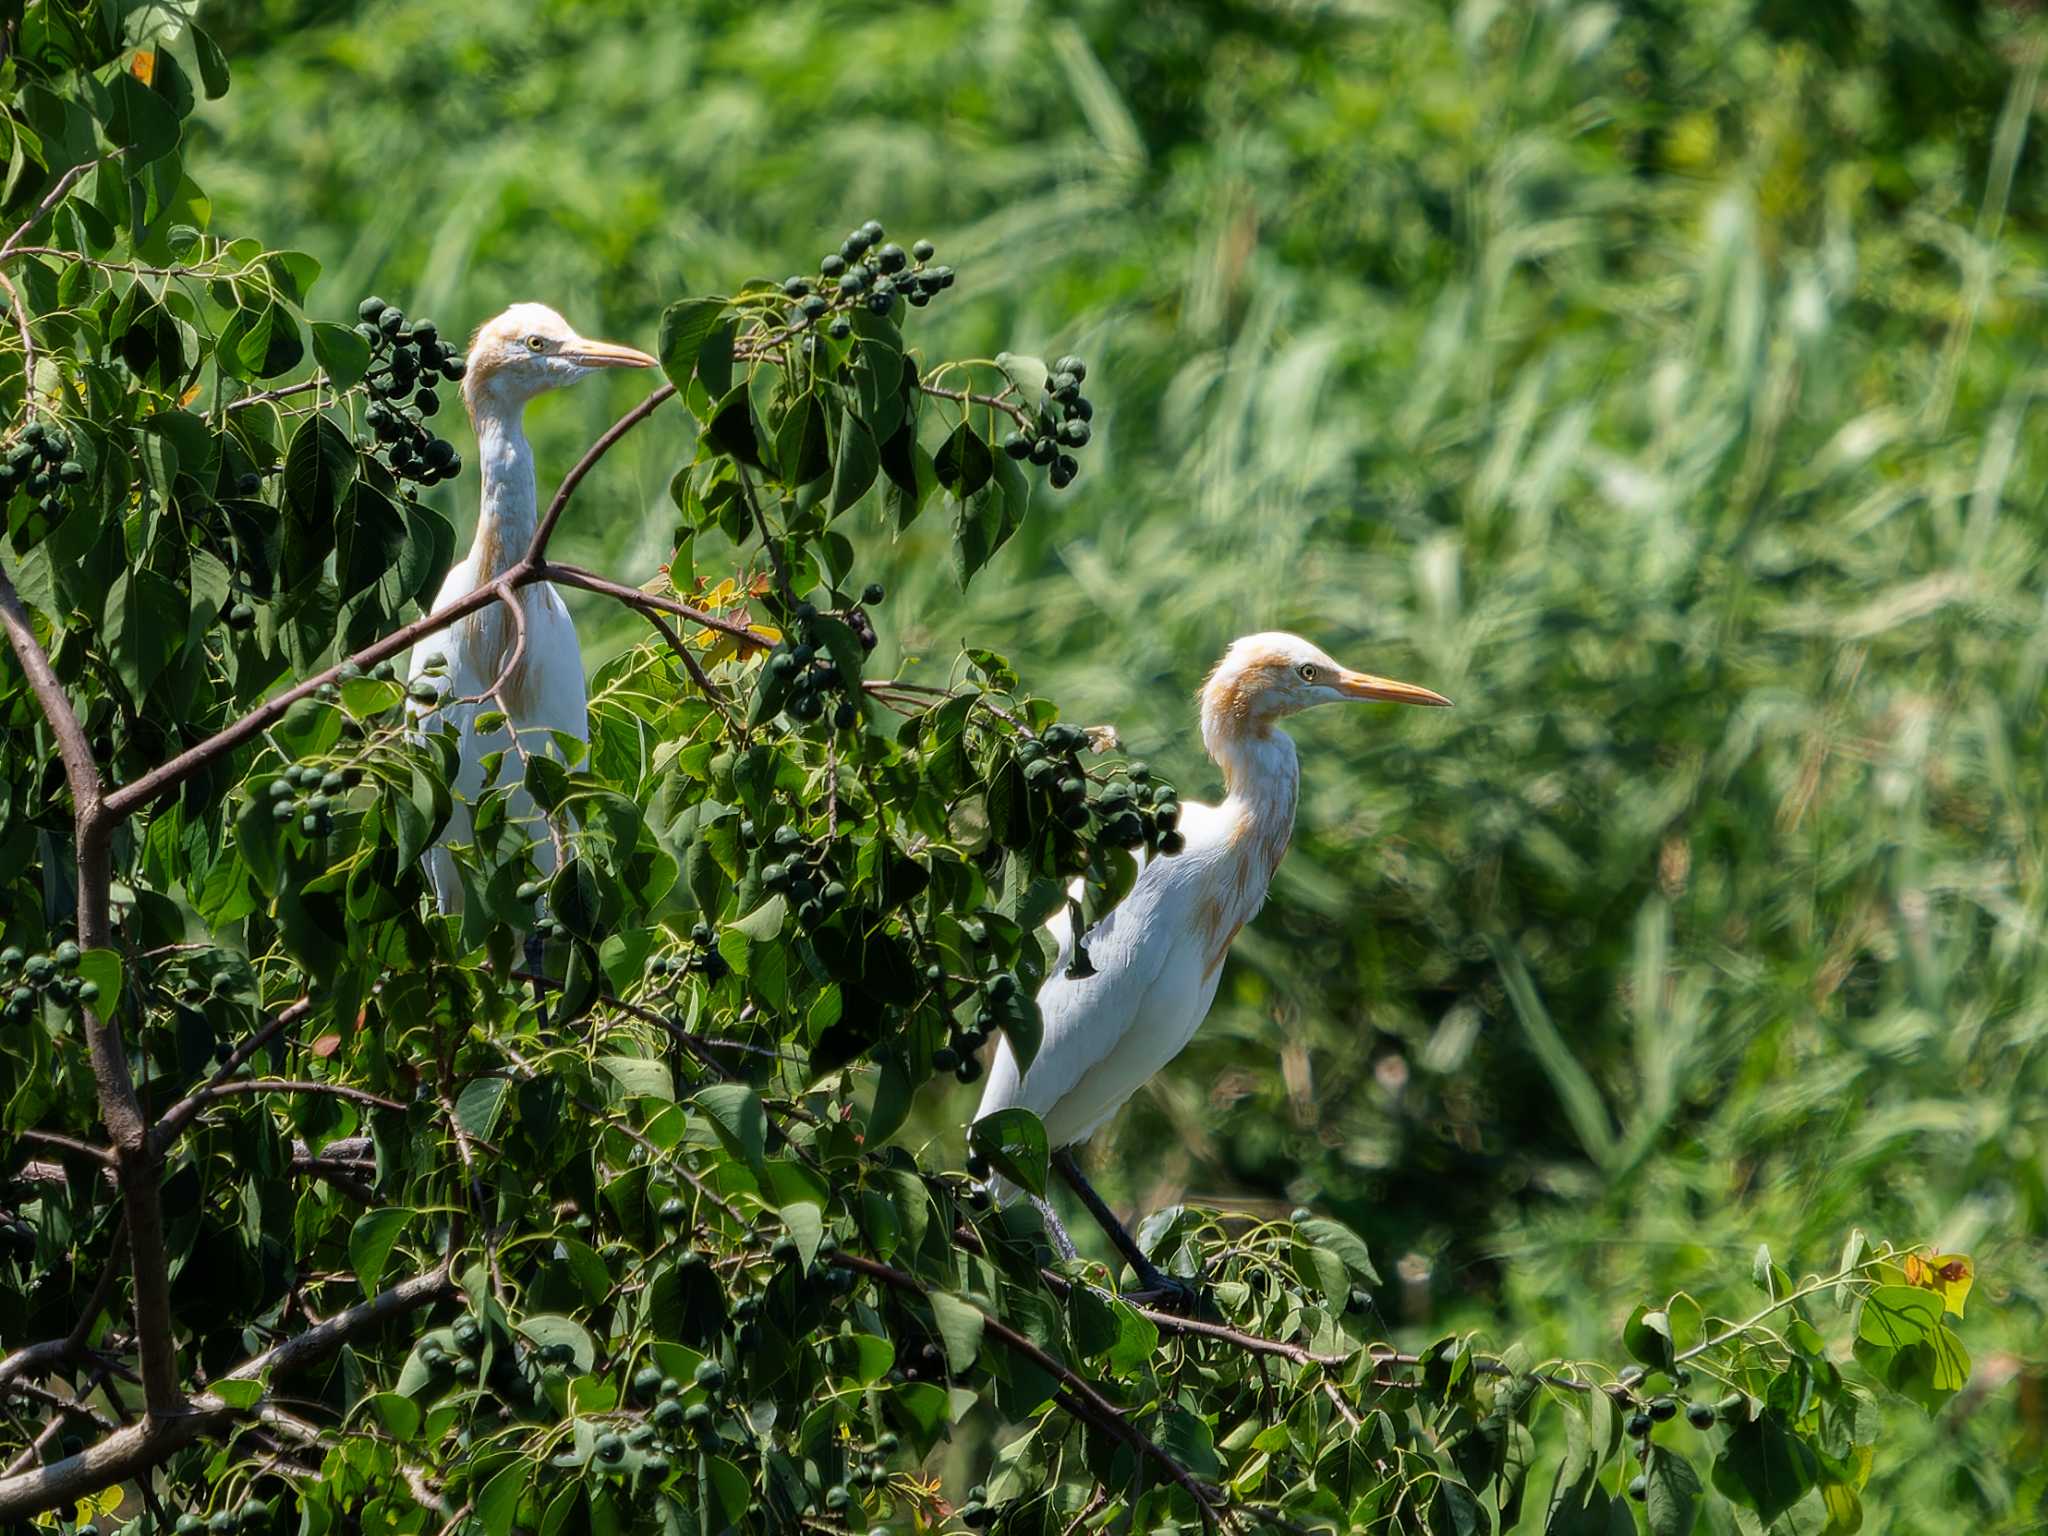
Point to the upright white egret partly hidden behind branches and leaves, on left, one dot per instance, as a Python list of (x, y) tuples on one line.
[(478, 665)]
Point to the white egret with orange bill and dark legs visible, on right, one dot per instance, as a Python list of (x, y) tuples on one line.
[(1156, 957)]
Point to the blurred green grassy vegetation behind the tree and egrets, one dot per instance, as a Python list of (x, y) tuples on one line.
[(1658, 380)]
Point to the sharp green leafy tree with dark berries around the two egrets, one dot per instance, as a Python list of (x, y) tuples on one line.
[(359, 1224)]
